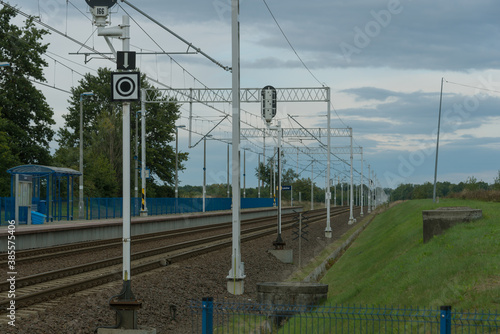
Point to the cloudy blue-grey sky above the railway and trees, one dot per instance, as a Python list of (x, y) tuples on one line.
[(382, 59)]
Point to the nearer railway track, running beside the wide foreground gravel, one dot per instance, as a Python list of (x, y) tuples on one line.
[(47, 286)]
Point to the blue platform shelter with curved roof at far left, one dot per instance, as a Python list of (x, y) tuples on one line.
[(30, 182)]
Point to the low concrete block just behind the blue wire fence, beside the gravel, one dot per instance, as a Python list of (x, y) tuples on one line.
[(291, 293)]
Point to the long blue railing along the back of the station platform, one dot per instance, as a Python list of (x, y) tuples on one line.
[(104, 208)]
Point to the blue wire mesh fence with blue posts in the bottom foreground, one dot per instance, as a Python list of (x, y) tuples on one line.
[(209, 316)]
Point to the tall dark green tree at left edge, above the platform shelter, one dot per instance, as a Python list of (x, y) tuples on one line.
[(26, 118)]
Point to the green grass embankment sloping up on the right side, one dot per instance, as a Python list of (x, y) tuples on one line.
[(388, 264)]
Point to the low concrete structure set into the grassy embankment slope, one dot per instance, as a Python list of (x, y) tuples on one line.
[(437, 221)]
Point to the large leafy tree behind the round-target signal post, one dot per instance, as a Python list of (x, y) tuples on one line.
[(102, 135)]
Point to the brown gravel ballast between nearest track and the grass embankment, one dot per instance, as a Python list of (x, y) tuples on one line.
[(176, 284)]
